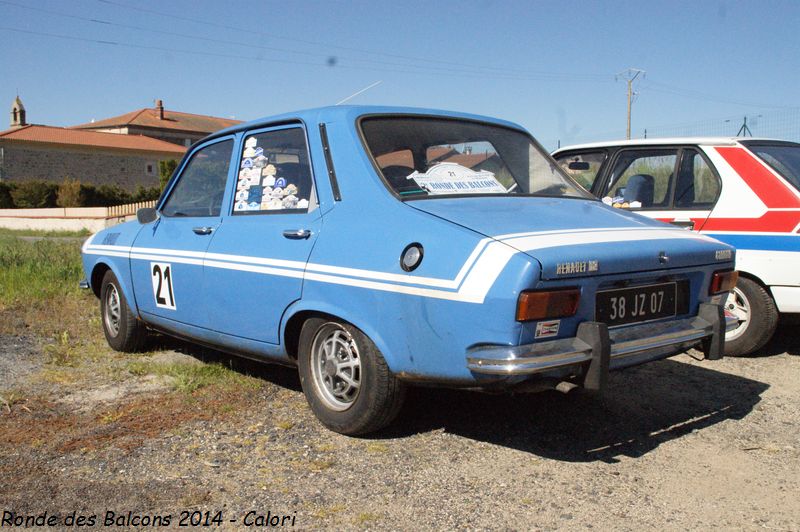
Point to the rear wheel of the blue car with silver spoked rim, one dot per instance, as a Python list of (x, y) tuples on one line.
[(327, 380)]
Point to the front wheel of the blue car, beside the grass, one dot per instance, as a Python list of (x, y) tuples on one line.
[(124, 332)]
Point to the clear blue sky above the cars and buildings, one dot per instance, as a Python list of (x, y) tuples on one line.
[(549, 66)]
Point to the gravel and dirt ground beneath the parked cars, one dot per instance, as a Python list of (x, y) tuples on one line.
[(677, 444)]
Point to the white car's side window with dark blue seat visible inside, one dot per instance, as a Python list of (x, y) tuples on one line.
[(642, 178)]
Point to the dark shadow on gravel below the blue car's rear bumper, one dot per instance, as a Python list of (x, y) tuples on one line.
[(643, 408)]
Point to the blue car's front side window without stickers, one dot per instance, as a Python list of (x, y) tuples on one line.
[(201, 185)]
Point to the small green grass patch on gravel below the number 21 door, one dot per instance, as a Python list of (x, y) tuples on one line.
[(190, 377)]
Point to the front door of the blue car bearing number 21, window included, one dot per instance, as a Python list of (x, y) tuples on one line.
[(167, 256)]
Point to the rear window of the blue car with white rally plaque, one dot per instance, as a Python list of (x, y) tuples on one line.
[(431, 157)]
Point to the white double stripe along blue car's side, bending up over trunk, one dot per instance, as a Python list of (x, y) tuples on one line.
[(471, 284)]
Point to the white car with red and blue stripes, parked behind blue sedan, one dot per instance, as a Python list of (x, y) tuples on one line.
[(742, 191)]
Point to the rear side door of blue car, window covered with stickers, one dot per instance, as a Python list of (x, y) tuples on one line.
[(255, 263)]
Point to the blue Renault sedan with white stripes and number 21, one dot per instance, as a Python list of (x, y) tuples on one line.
[(376, 247)]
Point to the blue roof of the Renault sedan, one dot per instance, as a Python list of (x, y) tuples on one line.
[(350, 113)]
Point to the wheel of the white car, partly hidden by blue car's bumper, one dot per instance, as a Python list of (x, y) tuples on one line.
[(750, 300)]
